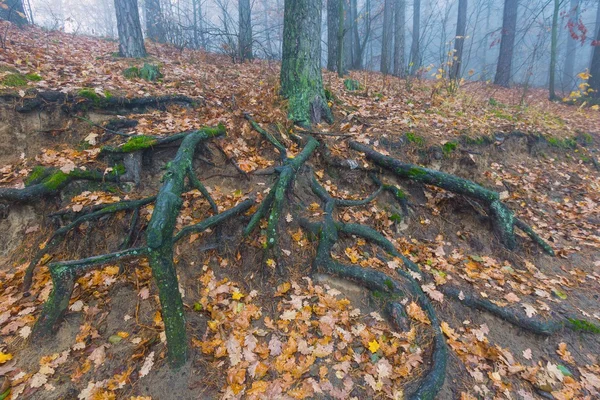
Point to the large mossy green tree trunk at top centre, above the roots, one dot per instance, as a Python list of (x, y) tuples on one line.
[(301, 80)]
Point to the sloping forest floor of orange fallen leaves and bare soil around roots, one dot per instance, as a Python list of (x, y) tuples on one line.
[(264, 335)]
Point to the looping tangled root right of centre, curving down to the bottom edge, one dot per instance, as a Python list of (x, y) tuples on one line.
[(328, 231)]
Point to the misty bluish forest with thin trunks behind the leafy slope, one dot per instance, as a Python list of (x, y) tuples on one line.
[(428, 38)]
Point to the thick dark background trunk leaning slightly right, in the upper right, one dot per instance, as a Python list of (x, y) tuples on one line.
[(507, 44)]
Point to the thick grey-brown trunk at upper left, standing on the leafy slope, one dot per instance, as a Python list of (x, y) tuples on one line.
[(131, 40)]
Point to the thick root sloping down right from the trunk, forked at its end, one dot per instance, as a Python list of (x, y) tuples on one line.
[(502, 217)]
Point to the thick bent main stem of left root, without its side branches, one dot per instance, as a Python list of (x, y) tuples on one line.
[(159, 238)]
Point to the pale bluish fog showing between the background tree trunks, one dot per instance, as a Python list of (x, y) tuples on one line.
[(213, 25)]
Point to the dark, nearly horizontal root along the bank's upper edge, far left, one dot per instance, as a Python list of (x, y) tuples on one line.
[(84, 101)]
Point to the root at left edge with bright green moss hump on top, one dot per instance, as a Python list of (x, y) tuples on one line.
[(50, 182)]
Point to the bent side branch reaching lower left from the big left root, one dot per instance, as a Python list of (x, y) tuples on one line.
[(63, 276)]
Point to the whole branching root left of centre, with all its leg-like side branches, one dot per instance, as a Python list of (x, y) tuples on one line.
[(159, 250)]
